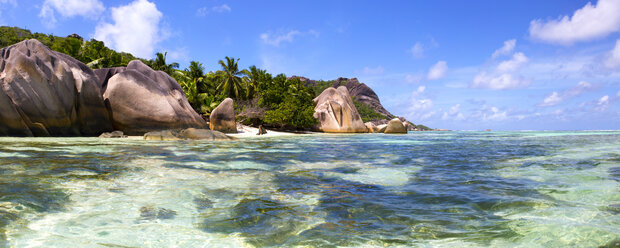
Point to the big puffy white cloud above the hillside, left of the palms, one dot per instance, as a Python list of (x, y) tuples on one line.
[(135, 28)]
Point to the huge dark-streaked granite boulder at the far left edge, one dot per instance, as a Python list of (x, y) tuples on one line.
[(46, 93)]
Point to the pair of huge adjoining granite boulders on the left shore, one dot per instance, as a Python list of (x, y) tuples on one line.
[(47, 93)]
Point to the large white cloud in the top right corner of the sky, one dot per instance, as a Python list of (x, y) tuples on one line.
[(588, 23)]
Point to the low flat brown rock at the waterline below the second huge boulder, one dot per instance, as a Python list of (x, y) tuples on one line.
[(187, 134)]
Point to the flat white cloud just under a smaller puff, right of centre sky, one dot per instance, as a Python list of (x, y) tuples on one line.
[(499, 82)]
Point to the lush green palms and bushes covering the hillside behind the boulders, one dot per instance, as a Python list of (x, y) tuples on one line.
[(260, 97)]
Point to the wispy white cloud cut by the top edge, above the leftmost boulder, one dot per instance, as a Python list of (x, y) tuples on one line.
[(69, 8)]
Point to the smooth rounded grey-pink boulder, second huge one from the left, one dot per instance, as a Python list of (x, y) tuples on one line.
[(142, 100)]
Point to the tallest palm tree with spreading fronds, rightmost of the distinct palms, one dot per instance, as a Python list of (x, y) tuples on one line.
[(229, 80)]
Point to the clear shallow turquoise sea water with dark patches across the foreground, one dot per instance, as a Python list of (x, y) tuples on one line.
[(424, 189)]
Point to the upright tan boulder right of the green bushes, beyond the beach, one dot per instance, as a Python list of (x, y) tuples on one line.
[(336, 113)]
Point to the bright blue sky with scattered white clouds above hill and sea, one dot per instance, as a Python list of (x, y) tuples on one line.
[(460, 65)]
